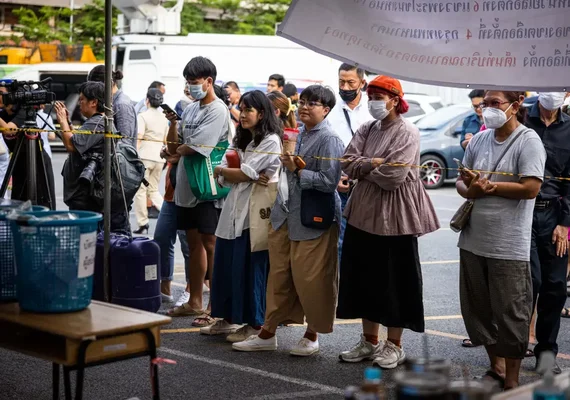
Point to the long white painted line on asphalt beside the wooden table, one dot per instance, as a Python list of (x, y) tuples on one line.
[(255, 371)]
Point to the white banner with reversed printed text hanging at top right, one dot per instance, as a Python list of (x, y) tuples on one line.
[(514, 45)]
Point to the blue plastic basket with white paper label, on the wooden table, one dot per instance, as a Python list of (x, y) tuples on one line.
[(55, 261)]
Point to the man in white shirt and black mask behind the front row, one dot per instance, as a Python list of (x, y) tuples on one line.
[(349, 113)]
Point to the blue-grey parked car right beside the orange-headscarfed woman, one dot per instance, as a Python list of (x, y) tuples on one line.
[(439, 143)]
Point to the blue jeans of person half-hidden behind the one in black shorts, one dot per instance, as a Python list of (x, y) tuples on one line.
[(165, 236)]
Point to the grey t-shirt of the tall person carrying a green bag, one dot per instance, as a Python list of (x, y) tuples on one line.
[(200, 125)]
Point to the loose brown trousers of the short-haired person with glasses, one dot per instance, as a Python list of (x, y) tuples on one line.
[(303, 280)]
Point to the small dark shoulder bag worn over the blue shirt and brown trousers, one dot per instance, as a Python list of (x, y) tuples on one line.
[(317, 209)]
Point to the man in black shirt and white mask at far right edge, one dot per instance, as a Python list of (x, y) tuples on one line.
[(549, 246)]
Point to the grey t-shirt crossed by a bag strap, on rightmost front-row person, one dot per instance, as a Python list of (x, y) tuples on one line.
[(500, 228)]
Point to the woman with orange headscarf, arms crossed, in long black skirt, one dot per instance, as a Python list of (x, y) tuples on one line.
[(387, 211)]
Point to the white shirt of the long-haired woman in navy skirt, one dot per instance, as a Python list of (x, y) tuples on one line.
[(234, 218)]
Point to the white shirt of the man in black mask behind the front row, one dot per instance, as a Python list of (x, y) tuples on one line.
[(358, 116)]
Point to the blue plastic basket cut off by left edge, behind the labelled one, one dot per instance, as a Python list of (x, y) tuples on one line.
[(7, 264)]
